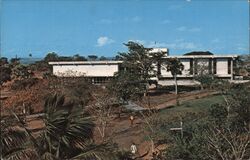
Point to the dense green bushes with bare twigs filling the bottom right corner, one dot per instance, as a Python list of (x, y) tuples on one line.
[(223, 134)]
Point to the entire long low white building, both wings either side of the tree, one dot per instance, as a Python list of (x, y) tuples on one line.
[(221, 66)]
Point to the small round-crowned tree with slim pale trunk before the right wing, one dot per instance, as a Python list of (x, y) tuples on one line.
[(174, 66)]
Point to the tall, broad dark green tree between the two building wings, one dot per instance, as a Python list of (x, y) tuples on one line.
[(138, 65)]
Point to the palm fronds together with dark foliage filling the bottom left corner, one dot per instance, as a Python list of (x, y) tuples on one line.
[(67, 135)]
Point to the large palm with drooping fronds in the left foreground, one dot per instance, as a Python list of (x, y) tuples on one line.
[(67, 134)]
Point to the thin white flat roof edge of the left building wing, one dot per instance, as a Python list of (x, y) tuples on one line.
[(84, 62)]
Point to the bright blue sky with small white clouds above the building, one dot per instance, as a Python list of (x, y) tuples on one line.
[(88, 27)]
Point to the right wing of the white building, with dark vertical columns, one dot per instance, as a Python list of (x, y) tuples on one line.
[(218, 65)]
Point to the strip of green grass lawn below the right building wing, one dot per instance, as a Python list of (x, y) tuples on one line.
[(196, 105)]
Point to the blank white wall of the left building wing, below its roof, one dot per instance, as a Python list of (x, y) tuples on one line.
[(88, 70)]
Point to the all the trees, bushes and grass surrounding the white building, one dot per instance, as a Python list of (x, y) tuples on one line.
[(215, 127)]
